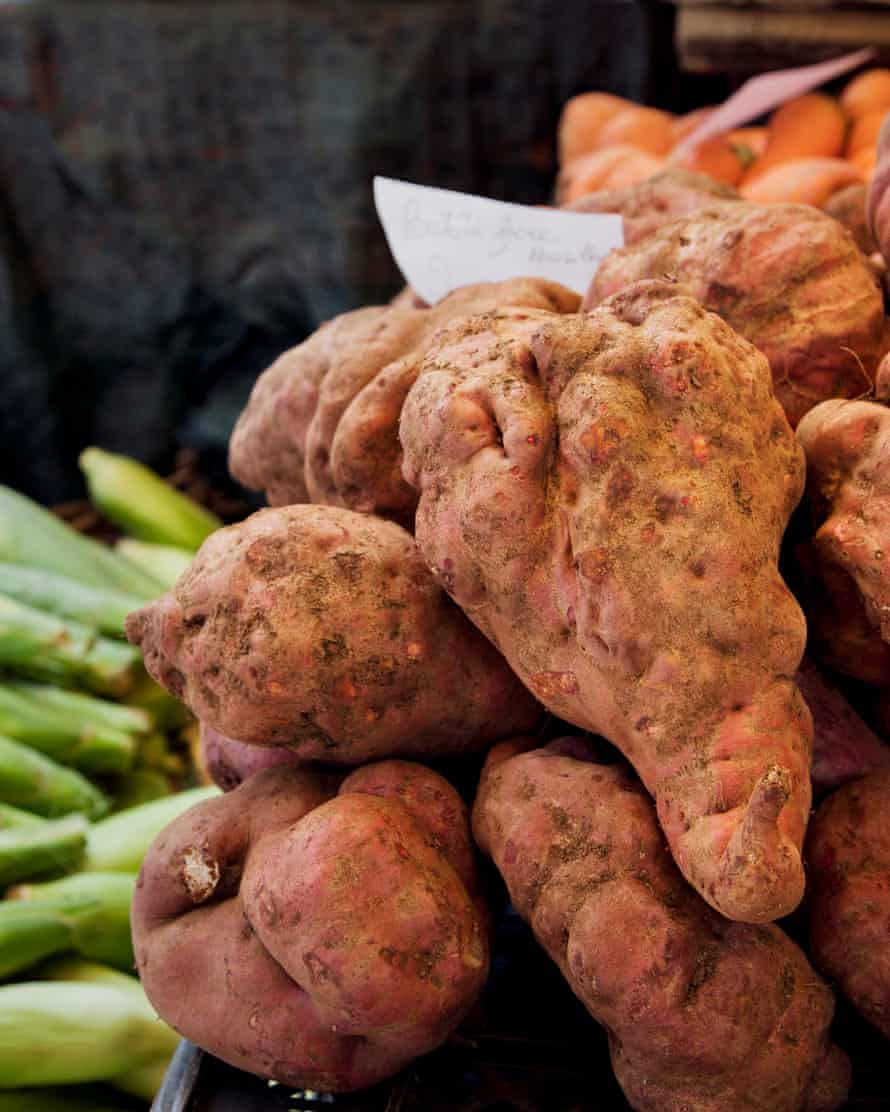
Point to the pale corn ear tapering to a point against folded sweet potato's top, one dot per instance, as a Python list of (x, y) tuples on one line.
[(121, 842)]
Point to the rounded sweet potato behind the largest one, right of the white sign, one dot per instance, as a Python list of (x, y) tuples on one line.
[(787, 277)]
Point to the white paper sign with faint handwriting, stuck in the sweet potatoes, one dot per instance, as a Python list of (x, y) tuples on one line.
[(443, 240)]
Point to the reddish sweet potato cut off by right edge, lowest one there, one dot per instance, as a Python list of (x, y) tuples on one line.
[(848, 892)]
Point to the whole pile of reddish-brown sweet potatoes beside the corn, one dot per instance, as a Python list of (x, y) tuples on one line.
[(505, 525)]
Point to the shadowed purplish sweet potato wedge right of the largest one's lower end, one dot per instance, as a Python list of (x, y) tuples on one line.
[(845, 748)]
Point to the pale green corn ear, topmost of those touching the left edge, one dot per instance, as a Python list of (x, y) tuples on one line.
[(33, 537)]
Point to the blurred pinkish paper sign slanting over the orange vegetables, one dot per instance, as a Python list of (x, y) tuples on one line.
[(766, 92)]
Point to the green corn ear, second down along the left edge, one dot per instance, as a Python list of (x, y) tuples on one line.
[(101, 609)]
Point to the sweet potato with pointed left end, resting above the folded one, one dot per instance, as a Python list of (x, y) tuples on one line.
[(322, 631)]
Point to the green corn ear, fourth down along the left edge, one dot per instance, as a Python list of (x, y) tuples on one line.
[(94, 748)]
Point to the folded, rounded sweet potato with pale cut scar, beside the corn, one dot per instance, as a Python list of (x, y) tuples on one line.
[(319, 937)]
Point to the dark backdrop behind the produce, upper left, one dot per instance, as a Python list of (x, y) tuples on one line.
[(185, 188)]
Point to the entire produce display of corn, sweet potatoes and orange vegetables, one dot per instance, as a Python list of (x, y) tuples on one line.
[(592, 588)]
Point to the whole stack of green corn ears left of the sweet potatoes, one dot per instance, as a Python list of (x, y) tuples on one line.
[(87, 780)]
